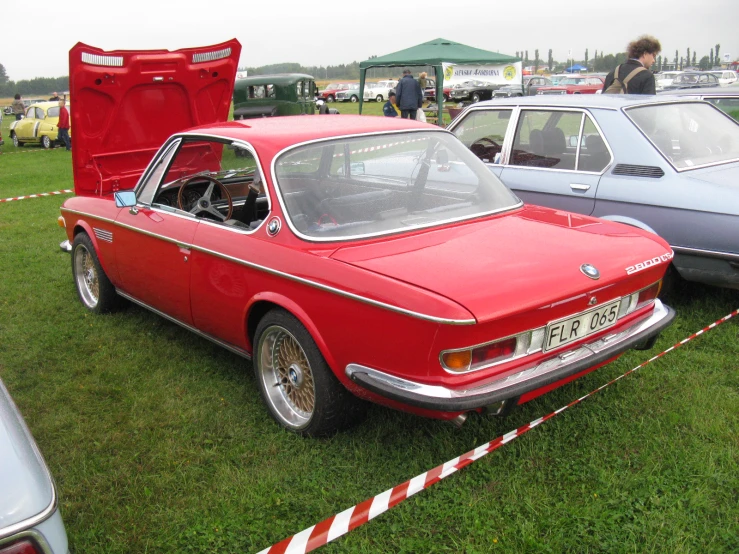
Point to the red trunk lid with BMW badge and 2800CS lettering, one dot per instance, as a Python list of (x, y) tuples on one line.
[(494, 267)]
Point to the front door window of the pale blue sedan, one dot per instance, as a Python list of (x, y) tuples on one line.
[(483, 133)]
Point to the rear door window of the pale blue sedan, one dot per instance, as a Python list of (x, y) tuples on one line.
[(541, 139)]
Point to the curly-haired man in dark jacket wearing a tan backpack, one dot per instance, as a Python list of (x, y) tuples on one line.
[(633, 76)]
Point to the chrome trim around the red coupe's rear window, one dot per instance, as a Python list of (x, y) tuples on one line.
[(308, 238)]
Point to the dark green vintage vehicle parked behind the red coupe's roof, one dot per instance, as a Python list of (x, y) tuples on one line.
[(274, 95)]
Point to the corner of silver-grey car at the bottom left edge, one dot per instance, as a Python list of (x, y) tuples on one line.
[(29, 516)]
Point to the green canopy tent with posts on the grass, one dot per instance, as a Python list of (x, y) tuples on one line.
[(435, 53)]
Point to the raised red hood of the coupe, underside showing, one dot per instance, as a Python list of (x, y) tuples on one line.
[(126, 103)]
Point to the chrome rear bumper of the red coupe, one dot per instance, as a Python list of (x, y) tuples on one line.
[(432, 392)]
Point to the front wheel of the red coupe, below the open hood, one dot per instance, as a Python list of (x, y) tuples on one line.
[(94, 289)]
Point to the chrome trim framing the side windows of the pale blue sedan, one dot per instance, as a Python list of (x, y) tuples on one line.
[(518, 111)]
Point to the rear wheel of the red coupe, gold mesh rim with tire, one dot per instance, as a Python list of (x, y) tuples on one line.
[(299, 389)]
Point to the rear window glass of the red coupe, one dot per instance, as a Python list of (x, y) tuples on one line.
[(373, 185)]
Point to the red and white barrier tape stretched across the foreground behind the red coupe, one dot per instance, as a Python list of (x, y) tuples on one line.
[(337, 525)]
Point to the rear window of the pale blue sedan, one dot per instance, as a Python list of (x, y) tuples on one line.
[(689, 134)]
